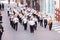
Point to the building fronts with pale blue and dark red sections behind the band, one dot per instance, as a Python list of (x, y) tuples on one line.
[(44, 6)]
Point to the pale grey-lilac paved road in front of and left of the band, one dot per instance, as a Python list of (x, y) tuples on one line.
[(40, 34)]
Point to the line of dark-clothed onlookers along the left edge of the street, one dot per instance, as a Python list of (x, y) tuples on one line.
[(1, 26)]
